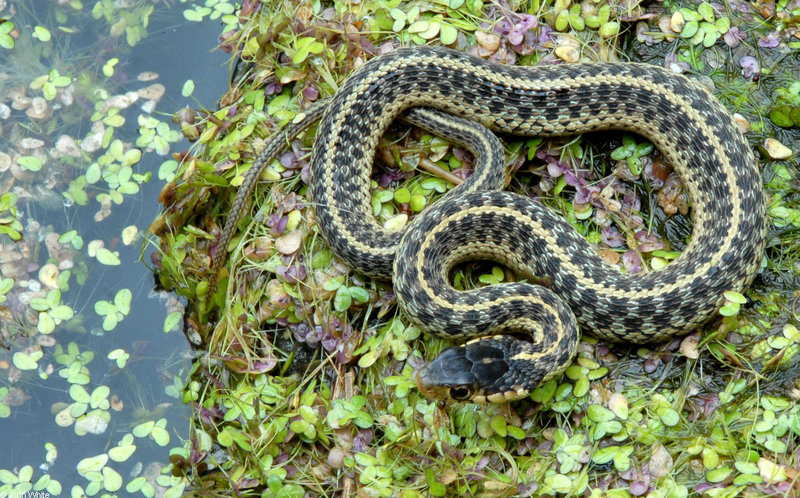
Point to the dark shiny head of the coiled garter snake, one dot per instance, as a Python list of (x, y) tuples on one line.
[(477, 372)]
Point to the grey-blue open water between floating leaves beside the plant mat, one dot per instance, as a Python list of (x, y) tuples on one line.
[(176, 50)]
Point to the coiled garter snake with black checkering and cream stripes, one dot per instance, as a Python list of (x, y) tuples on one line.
[(689, 127)]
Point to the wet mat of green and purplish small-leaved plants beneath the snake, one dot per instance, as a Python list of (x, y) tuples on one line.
[(303, 382)]
